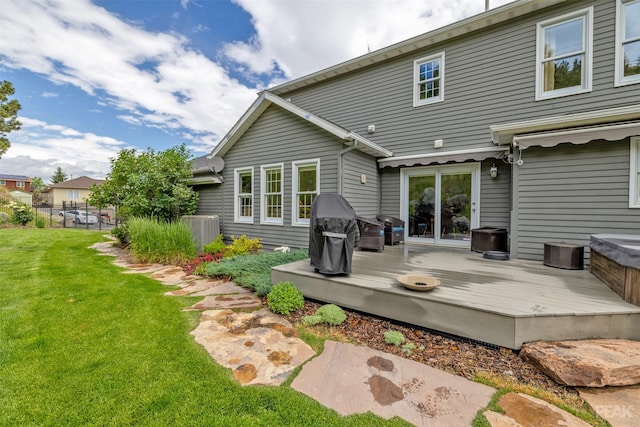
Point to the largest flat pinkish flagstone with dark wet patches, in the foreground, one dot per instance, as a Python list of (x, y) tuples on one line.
[(352, 379)]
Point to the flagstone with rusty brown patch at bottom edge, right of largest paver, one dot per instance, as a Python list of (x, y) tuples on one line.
[(527, 411)]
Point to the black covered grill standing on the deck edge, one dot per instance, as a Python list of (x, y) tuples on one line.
[(332, 234)]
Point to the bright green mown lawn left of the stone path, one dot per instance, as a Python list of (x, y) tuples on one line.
[(83, 344)]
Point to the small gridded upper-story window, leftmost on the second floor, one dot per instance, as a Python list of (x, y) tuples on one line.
[(428, 79)]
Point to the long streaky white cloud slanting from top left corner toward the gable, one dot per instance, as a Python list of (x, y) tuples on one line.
[(75, 42)]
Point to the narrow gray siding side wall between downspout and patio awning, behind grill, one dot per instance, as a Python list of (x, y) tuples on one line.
[(364, 198)]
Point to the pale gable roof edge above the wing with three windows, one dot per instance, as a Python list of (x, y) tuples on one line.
[(266, 99)]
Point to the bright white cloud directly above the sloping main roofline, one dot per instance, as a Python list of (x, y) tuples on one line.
[(302, 37)]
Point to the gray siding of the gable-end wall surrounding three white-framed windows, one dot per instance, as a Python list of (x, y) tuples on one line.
[(278, 137)]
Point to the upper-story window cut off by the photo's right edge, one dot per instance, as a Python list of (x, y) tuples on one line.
[(628, 42)]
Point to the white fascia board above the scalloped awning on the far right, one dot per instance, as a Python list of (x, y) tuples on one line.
[(503, 134)]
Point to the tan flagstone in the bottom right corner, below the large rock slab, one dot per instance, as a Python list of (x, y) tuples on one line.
[(618, 405)]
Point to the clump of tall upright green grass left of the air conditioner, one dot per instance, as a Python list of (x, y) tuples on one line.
[(161, 242)]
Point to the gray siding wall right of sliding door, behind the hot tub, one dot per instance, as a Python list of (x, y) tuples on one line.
[(569, 192)]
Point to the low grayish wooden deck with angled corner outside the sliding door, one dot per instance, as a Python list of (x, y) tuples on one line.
[(506, 303)]
